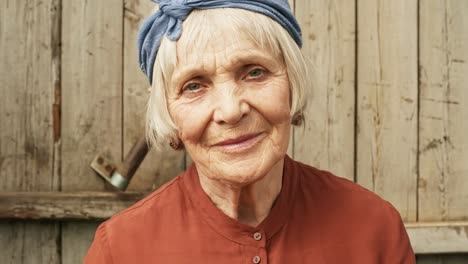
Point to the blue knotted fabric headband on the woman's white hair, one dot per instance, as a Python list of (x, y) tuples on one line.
[(168, 20)]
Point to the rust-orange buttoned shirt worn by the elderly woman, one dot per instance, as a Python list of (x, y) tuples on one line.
[(317, 218)]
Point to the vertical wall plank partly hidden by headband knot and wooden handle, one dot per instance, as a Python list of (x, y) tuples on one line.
[(159, 166)]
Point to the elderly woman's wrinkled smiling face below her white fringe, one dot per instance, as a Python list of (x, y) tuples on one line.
[(230, 102)]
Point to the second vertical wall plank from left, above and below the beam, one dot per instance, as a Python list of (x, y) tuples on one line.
[(91, 103)]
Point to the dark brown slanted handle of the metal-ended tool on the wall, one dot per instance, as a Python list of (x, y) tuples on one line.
[(134, 158)]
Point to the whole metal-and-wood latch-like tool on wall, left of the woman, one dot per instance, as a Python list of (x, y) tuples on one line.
[(120, 175)]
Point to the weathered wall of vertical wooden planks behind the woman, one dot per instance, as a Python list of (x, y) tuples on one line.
[(388, 107)]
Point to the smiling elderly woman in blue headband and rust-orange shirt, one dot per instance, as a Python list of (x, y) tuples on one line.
[(228, 81)]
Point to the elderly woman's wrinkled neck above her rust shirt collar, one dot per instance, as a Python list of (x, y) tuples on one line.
[(249, 204)]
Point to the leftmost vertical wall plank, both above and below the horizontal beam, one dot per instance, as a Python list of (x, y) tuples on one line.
[(26, 138)]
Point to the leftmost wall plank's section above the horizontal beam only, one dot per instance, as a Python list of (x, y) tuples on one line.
[(26, 146)]
